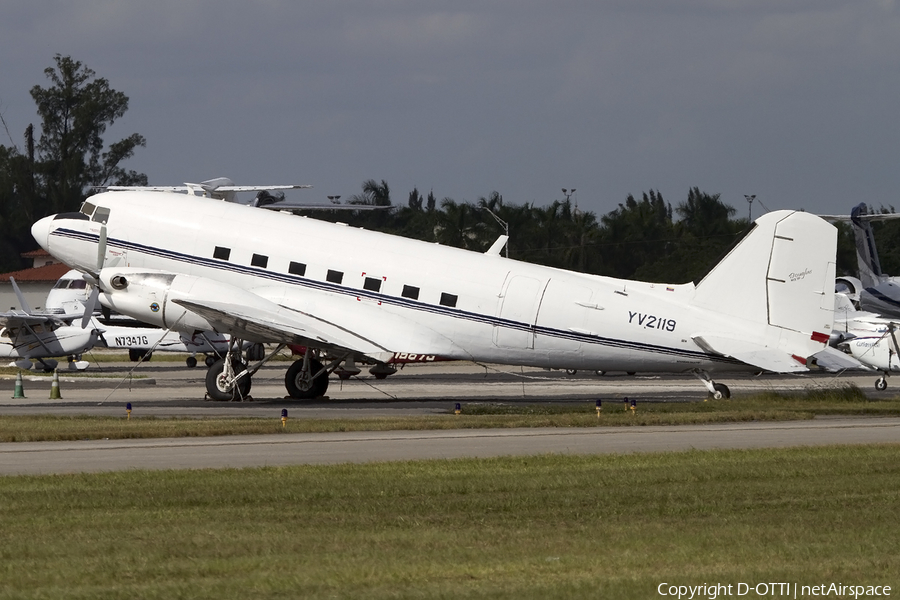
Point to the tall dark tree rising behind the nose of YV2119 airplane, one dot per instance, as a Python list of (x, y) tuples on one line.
[(75, 112)]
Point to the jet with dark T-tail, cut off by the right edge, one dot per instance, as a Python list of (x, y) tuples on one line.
[(873, 291)]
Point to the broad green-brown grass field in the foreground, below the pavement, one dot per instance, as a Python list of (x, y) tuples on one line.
[(541, 527)]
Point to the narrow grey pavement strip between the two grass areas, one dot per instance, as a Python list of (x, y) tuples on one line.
[(361, 447)]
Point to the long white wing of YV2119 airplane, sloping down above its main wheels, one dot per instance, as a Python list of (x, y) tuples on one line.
[(284, 326)]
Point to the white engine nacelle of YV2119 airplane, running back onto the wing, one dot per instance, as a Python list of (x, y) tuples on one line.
[(148, 296)]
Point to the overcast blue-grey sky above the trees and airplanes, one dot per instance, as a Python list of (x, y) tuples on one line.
[(794, 101)]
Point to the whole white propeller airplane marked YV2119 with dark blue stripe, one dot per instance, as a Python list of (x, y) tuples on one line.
[(271, 277)]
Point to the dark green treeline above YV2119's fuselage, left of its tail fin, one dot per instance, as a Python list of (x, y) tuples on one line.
[(638, 240)]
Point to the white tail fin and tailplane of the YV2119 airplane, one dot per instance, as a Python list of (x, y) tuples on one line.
[(777, 286)]
